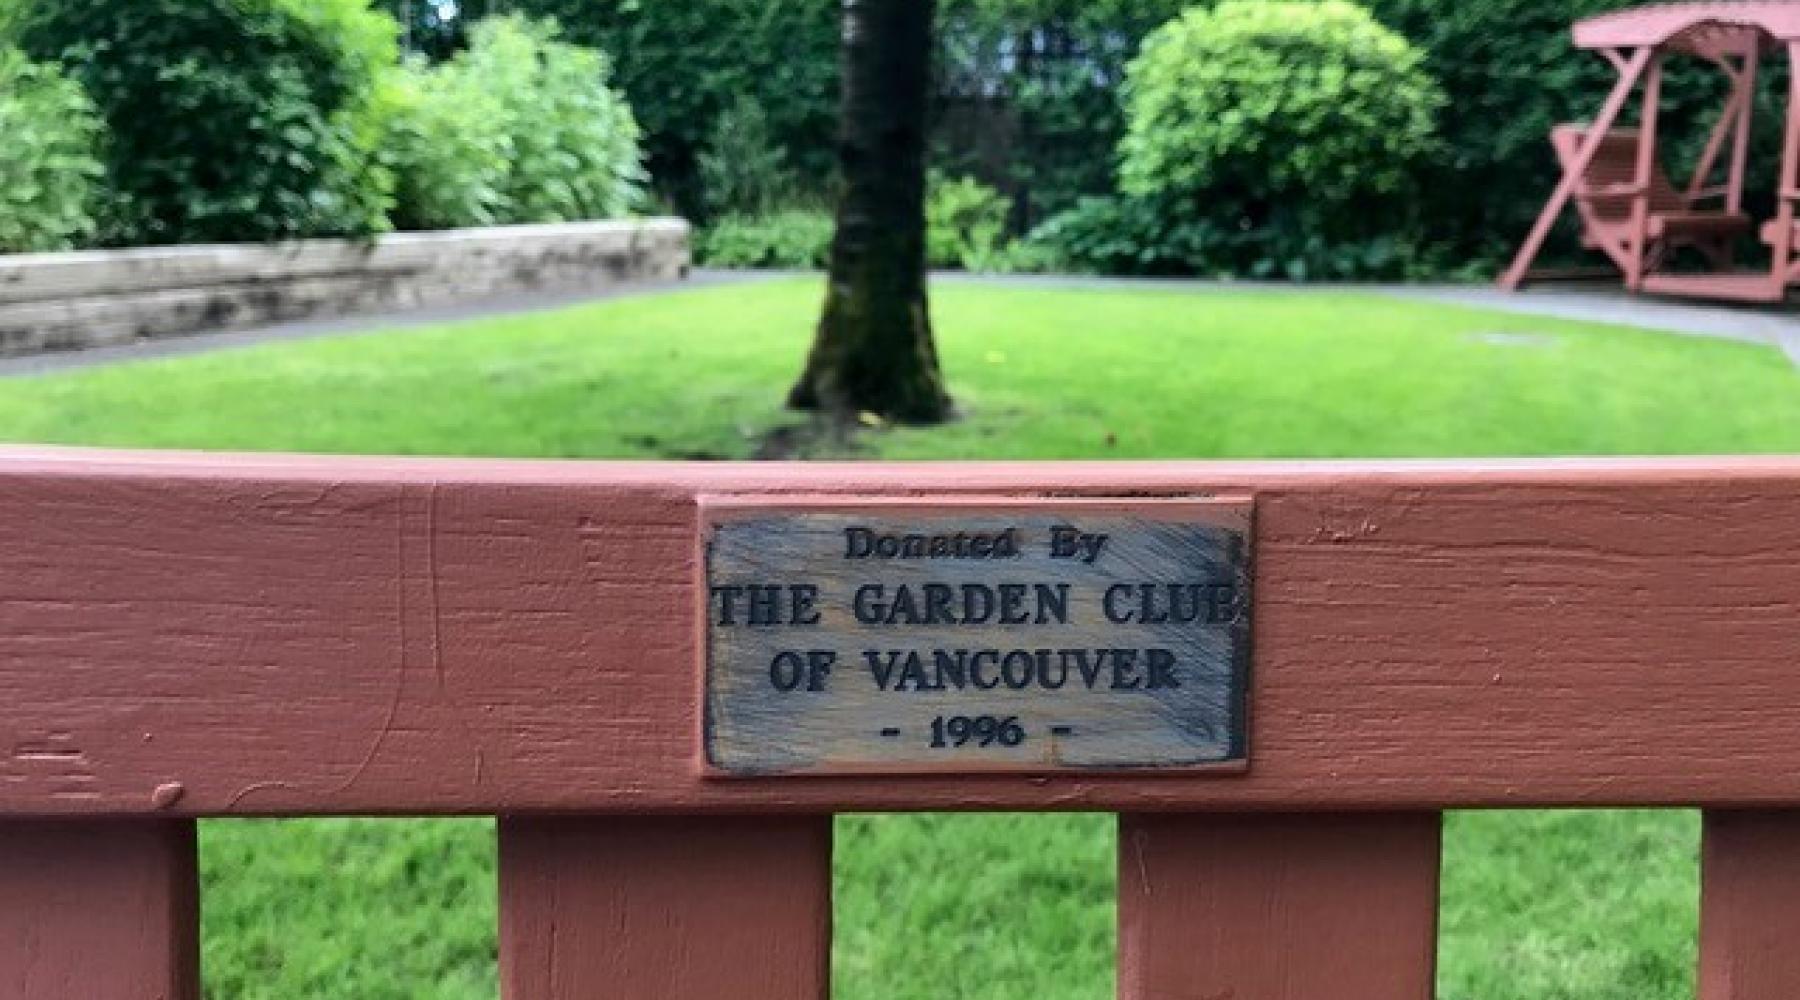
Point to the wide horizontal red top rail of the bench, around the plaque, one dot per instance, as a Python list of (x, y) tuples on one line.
[(357, 636)]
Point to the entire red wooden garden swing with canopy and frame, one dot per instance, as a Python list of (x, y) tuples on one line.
[(1628, 208)]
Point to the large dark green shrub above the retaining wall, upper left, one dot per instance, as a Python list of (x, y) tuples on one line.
[(228, 120)]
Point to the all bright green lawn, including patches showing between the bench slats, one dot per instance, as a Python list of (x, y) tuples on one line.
[(1536, 906)]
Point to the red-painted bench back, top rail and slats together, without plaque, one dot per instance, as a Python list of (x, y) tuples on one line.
[(190, 636)]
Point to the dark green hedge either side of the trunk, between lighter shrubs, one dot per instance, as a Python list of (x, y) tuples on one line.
[(1039, 75)]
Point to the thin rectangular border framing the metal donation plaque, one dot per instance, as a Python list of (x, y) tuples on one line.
[(1236, 512)]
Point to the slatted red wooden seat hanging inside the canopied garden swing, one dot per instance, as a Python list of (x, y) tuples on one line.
[(1606, 199)]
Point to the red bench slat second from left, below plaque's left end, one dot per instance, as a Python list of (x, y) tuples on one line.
[(667, 909)]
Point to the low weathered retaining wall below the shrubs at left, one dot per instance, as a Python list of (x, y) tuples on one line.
[(91, 299)]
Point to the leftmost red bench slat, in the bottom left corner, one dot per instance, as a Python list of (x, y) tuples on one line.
[(100, 911)]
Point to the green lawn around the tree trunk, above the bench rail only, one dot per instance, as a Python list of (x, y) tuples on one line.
[(1039, 375)]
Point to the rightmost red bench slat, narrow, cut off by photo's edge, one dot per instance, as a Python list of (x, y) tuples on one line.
[(1750, 907)]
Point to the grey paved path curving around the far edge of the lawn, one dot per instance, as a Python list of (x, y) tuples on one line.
[(1779, 328)]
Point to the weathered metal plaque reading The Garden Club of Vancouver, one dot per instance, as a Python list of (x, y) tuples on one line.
[(976, 636)]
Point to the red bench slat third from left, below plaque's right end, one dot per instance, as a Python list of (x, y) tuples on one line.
[(1279, 907)]
